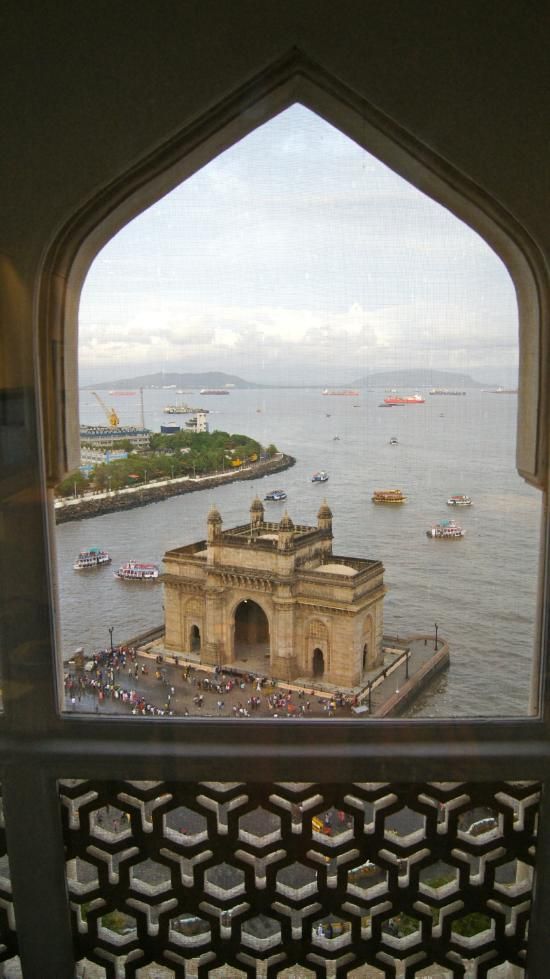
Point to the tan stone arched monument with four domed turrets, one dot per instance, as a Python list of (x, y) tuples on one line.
[(272, 598)]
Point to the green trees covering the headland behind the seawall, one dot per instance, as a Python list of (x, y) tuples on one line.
[(169, 456)]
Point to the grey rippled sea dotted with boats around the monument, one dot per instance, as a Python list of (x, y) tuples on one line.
[(481, 590)]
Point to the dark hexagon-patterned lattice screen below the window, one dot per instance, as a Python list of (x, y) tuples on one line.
[(363, 879)]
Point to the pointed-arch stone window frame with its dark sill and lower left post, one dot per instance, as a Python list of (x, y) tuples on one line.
[(41, 747)]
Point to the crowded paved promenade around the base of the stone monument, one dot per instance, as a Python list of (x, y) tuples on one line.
[(178, 685)]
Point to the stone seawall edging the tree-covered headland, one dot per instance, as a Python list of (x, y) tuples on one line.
[(156, 492)]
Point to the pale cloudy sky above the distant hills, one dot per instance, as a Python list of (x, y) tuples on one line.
[(295, 256)]
